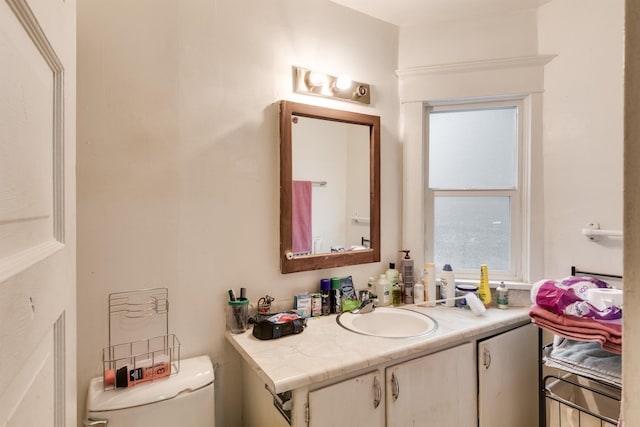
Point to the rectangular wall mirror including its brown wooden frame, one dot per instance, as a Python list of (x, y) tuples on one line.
[(329, 187)]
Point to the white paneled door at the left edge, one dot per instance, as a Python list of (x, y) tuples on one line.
[(37, 213)]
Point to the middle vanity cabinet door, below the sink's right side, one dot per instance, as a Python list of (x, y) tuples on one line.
[(434, 391)]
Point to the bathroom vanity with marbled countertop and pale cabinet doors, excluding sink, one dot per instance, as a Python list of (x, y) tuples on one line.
[(472, 370)]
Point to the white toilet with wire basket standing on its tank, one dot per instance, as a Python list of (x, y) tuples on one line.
[(185, 398)]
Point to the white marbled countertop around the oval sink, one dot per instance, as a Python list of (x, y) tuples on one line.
[(326, 351)]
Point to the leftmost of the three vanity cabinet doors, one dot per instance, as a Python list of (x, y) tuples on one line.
[(358, 402)]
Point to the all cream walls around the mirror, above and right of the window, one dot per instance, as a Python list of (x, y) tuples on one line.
[(178, 156)]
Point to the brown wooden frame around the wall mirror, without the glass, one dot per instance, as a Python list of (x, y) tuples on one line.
[(289, 263)]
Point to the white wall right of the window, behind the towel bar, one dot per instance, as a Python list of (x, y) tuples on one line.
[(583, 138)]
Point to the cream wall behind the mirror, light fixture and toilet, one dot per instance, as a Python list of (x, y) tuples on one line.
[(178, 181)]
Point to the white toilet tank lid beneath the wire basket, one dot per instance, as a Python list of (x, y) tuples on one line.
[(194, 374)]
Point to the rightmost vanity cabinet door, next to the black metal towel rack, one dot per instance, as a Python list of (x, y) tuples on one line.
[(508, 379)]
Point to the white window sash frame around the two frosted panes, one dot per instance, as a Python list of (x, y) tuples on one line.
[(520, 195)]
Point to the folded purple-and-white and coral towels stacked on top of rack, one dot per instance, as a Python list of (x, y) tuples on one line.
[(561, 307)]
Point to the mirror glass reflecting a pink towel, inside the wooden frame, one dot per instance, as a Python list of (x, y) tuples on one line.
[(330, 193)]
